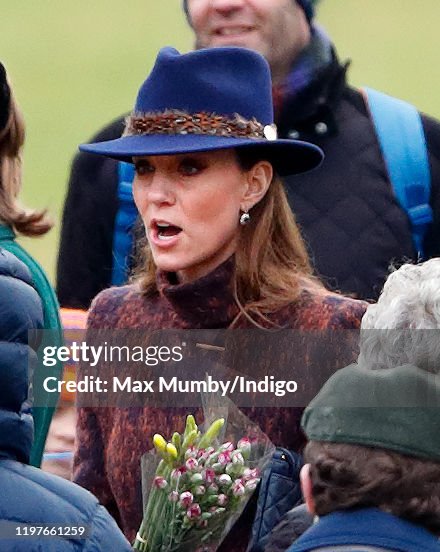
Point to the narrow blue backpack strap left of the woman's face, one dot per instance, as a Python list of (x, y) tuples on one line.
[(125, 219)]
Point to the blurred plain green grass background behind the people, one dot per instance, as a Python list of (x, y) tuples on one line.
[(76, 65)]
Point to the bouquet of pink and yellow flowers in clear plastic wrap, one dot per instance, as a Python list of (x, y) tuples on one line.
[(196, 484)]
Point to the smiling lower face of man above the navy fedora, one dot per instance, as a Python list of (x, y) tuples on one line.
[(277, 29)]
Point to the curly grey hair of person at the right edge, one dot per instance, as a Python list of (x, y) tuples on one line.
[(403, 326)]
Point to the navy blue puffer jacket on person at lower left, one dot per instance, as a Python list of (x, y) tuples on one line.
[(28, 495)]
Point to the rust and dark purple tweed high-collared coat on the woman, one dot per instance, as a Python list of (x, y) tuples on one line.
[(110, 441)]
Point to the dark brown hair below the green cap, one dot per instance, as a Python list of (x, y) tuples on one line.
[(353, 476)]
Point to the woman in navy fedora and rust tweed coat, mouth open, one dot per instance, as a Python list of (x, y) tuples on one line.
[(223, 248)]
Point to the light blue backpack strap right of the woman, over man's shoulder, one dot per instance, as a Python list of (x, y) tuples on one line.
[(402, 140)]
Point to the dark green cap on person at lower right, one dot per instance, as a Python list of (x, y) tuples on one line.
[(396, 409)]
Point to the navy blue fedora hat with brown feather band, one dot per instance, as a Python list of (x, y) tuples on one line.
[(217, 98)]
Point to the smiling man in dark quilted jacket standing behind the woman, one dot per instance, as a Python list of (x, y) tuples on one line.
[(348, 213)]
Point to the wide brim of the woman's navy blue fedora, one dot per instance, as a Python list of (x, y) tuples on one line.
[(287, 156)]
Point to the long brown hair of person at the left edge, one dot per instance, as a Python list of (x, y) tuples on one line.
[(28, 222)]
